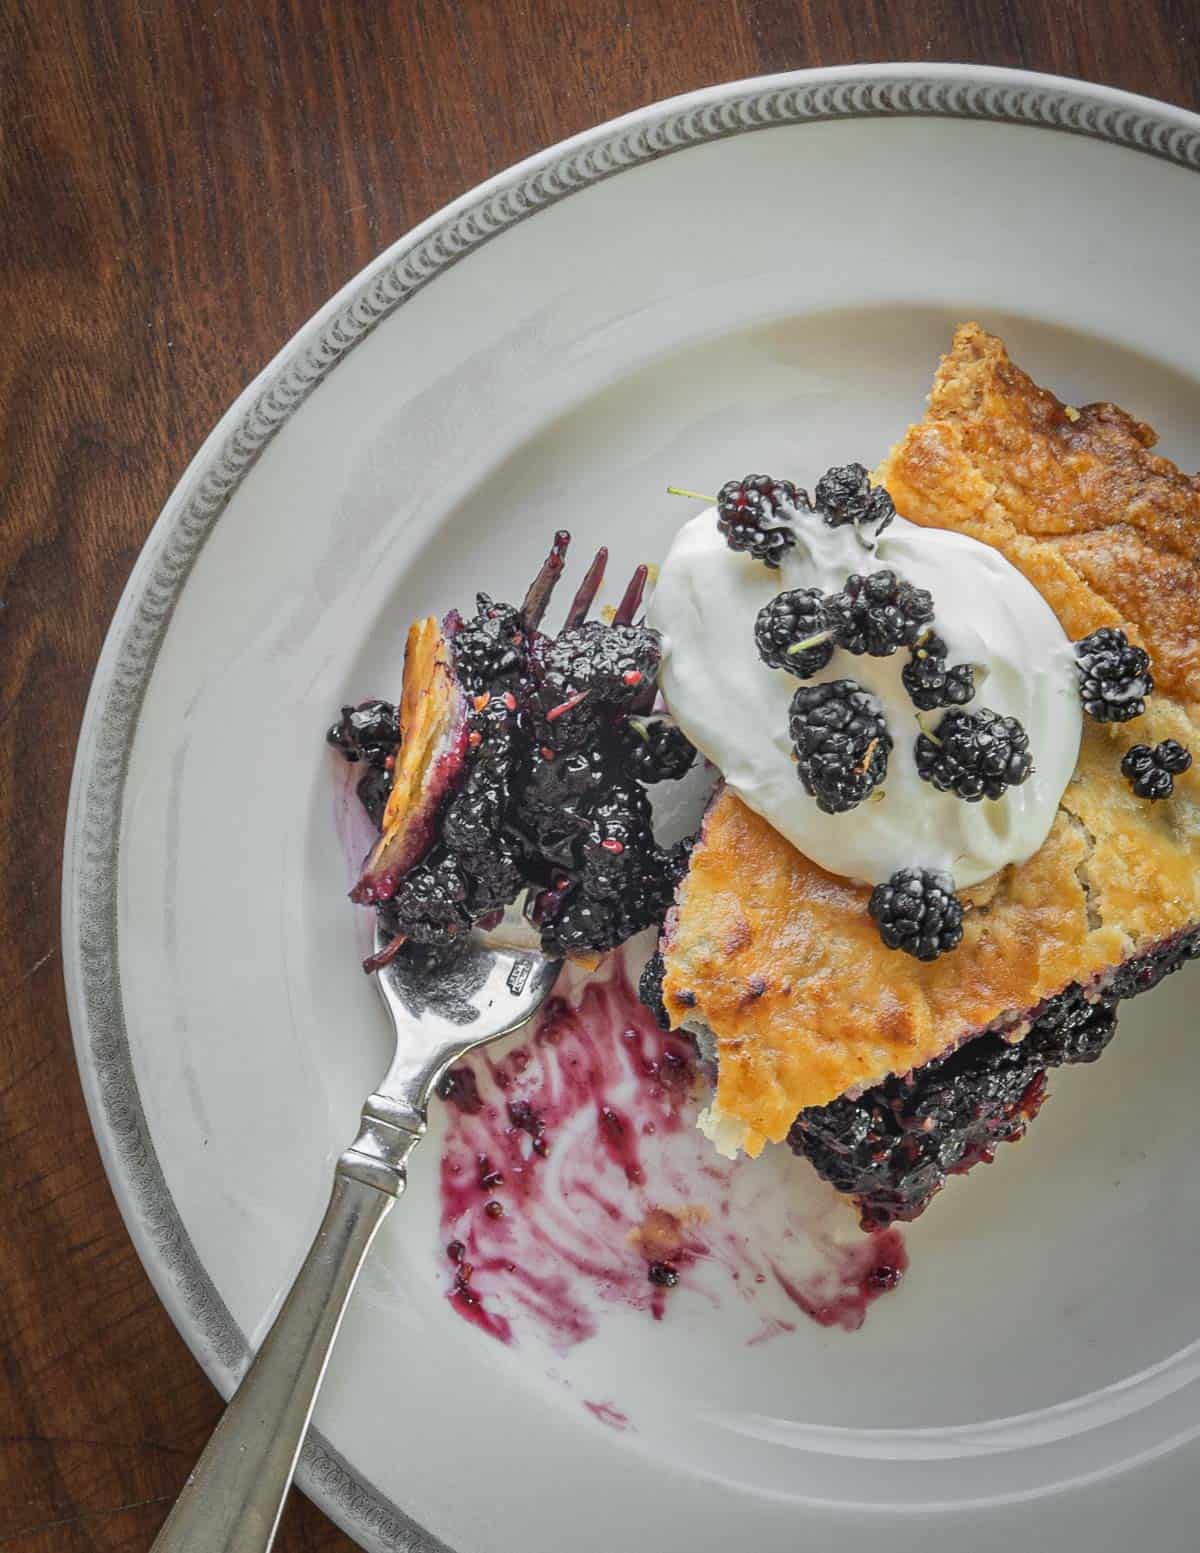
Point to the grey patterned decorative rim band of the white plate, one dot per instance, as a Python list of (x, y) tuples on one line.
[(161, 574)]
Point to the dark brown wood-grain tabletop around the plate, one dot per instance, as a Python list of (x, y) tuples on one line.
[(182, 182)]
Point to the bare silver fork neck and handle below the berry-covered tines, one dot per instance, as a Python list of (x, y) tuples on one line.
[(443, 1007)]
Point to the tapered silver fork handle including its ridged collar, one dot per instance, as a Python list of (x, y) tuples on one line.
[(235, 1496)]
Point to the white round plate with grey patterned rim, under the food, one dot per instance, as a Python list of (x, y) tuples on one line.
[(668, 297)]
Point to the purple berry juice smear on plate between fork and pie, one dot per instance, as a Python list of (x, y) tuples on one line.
[(574, 1181)]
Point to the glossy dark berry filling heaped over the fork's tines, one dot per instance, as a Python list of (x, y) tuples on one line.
[(550, 796)]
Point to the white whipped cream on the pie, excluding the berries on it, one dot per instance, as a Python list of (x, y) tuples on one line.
[(735, 709)]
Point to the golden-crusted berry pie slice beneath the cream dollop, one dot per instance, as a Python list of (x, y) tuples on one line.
[(890, 1074)]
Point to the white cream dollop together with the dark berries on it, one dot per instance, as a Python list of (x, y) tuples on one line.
[(898, 701)]
